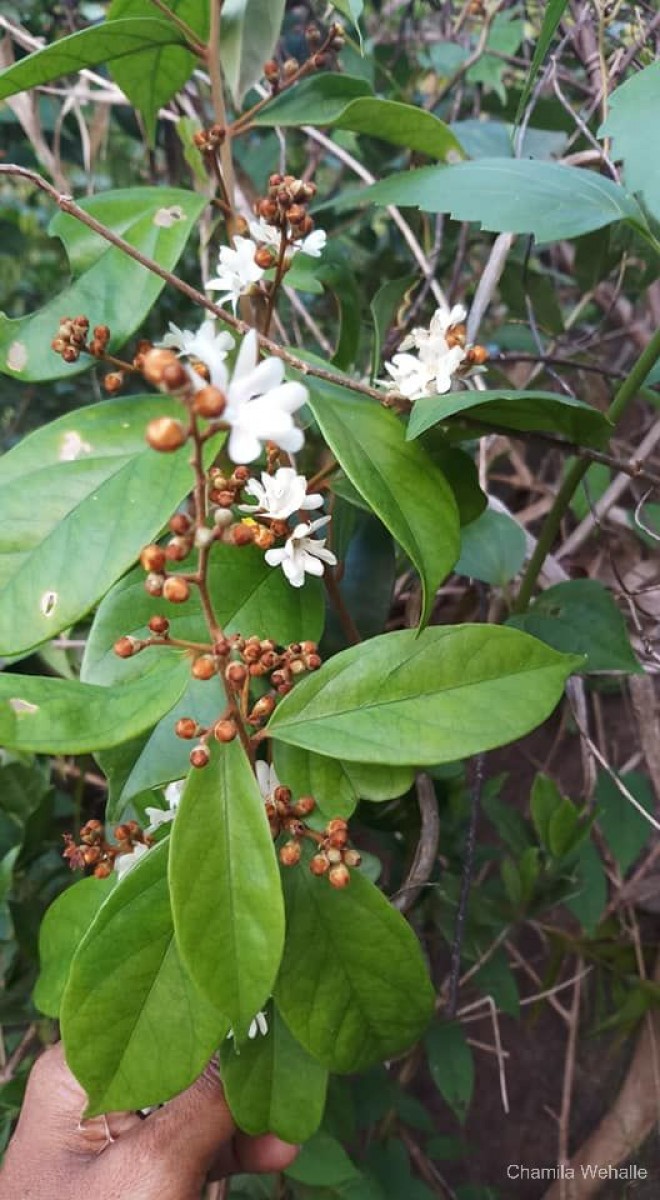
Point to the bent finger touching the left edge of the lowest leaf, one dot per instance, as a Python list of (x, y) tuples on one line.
[(197, 1123)]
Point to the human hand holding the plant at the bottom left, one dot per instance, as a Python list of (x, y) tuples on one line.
[(123, 1157)]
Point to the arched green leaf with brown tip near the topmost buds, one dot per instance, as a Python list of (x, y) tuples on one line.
[(346, 104)]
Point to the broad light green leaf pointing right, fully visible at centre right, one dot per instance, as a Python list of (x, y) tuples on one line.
[(445, 694)]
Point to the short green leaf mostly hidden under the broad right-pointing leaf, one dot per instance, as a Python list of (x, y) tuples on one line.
[(335, 784)]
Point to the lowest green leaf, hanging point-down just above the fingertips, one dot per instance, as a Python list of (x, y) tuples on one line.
[(273, 1085)]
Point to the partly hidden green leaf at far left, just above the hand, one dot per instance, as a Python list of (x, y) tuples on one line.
[(62, 932)]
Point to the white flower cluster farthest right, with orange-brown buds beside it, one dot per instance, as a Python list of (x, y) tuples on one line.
[(442, 355)]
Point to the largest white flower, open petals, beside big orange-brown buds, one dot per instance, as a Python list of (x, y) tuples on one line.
[(260, 405)]
